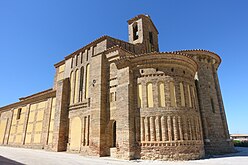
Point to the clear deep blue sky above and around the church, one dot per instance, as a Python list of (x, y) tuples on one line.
[(34, 35)]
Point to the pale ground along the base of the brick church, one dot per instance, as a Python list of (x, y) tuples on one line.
[(9, 156)]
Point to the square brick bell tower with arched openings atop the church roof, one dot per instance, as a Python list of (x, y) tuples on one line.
[(142, 31)]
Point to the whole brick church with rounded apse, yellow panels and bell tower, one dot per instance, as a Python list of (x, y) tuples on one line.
[(125, 100)]
